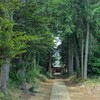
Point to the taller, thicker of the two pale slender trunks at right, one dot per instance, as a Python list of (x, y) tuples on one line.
[(86, 52)]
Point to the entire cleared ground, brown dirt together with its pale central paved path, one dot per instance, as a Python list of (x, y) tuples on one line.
[(76, 92)]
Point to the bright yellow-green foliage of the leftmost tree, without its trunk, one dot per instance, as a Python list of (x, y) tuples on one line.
[(11, 43)]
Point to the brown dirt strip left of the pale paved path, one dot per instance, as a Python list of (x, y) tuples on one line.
[(43, 92)]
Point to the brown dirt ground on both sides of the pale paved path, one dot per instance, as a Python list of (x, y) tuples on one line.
[(76, 91)]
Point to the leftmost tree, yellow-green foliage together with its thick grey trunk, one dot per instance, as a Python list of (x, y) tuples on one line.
[(12, 43)]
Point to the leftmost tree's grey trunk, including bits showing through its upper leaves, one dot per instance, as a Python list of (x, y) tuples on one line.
[(5, 69)]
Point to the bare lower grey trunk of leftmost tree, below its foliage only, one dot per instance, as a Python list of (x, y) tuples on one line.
[(4, 74)]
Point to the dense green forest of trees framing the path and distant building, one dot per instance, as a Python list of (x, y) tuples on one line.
[(27, 32)]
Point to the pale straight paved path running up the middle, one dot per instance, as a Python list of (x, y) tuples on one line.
[(59, 91)]
